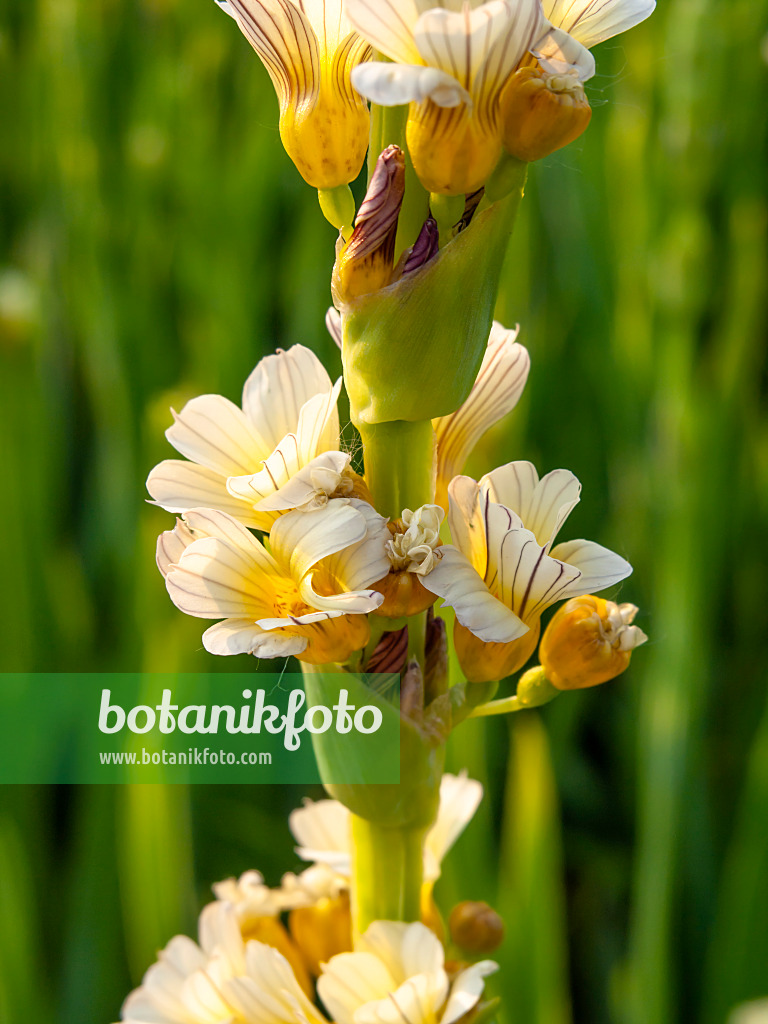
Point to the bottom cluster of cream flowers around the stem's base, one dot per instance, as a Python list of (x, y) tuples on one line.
[(249, 967)]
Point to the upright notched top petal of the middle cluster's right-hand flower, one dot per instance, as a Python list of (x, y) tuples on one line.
[(542, 505)]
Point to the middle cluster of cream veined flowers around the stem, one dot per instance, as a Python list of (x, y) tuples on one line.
[(279, 538)]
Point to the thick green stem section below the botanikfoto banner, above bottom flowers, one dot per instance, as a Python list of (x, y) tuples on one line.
[(388, 870)]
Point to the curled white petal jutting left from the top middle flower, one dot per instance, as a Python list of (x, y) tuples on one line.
[(392, 86)]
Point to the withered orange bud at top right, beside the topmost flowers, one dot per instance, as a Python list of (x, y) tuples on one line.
[(542, 113)]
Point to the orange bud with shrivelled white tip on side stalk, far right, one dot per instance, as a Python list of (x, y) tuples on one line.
[(589, 642)]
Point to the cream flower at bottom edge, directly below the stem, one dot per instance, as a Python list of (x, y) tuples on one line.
[(398, 975)]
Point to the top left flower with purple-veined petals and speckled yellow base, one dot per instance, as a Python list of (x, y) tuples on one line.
[(310, 51)]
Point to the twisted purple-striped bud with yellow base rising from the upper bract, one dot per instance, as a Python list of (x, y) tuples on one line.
[(365, 265)]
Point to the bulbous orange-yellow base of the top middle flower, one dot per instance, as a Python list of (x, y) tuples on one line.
[(452, 152)]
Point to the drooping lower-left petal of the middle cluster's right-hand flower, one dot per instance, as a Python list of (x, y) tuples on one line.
[(458, 584)]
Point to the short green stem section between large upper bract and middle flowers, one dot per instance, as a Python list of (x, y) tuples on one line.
[(400, 459)]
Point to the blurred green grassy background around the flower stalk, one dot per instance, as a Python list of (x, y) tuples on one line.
[(157, 242)]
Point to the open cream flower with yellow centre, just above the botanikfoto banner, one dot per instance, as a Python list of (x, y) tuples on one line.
[(308, 596)]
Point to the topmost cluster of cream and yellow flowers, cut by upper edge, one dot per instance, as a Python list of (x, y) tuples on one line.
[(479, 78)]
